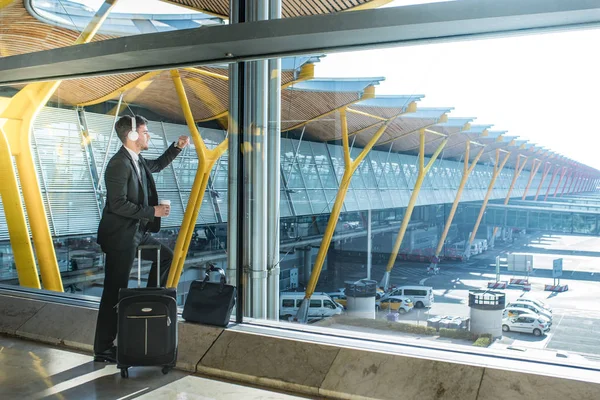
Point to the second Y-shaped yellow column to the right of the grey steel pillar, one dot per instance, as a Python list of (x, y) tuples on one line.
[(423, 170)]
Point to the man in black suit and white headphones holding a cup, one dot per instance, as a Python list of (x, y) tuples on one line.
[(131, 213)]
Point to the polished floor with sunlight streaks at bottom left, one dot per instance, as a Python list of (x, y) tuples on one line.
[(30, 370)]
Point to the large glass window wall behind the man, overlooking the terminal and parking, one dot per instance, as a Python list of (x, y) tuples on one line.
[(371, 141)]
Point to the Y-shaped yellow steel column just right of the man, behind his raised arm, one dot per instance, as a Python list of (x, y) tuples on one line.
[(206, 161)]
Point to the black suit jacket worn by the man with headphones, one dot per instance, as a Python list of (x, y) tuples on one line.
[(124, 209)]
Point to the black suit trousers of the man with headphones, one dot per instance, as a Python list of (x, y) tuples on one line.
[(117, 273)]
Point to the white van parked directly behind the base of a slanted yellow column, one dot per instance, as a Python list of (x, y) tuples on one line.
[(321, 305)]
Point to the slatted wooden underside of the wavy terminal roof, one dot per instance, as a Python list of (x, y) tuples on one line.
[(208, 95)]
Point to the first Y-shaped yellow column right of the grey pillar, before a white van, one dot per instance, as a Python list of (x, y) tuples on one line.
[(350, 167)]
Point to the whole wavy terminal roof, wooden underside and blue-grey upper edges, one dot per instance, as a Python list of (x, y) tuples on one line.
[(308, 104)]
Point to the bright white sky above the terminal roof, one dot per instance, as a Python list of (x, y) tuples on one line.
[(541, 88)]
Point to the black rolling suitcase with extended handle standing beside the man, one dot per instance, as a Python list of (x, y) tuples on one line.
[(147, 324)]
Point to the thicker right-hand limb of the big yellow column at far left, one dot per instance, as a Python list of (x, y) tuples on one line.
[(16, 120)]
